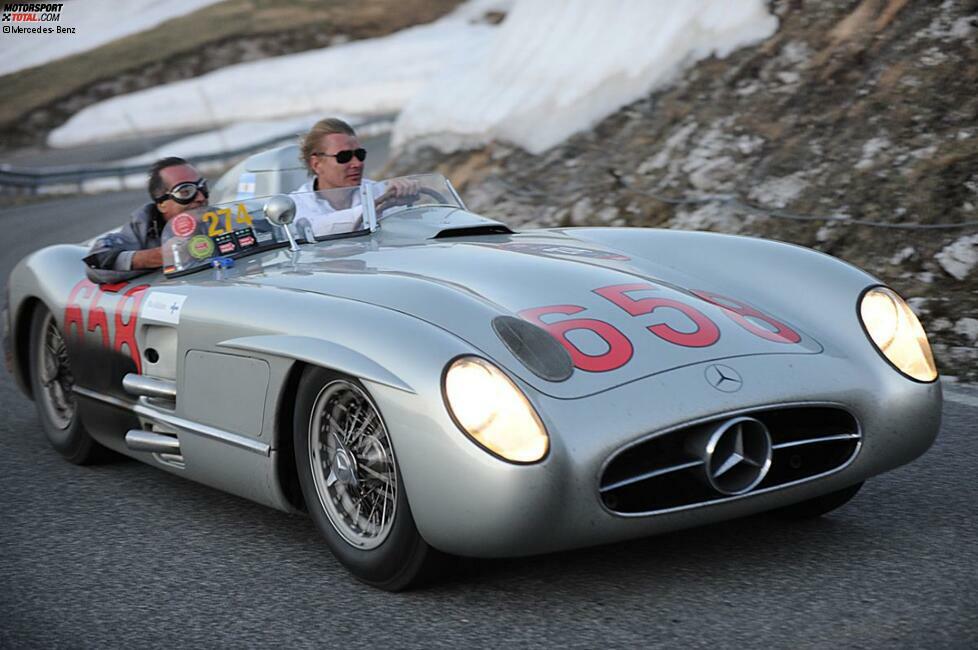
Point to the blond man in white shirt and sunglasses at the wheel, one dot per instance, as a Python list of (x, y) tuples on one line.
[(334, 157)]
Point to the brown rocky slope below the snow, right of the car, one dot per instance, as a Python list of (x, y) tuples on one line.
[(853, 130)]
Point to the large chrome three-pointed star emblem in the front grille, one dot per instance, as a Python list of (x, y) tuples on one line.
[(738, 455)]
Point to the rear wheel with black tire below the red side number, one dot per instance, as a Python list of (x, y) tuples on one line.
[(51, 385)]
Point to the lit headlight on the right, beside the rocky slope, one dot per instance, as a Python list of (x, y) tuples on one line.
[(896, 332)]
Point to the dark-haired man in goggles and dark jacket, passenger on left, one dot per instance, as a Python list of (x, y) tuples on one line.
[(175, 186)]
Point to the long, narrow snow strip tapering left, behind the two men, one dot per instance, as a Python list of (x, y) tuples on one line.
[(369, 77)]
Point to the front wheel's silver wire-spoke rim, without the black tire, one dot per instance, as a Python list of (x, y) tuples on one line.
[(352, 463)]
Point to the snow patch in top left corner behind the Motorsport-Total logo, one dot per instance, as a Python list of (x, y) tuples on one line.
[(96, 22)]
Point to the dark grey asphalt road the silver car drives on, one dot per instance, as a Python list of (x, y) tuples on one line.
[(123, 555)]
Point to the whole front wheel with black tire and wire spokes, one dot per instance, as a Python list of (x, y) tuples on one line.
[(385, 553)]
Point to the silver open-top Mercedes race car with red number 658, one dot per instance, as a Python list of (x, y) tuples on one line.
[(428, 383)]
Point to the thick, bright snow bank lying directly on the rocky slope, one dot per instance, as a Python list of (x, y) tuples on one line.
[(548, 73)]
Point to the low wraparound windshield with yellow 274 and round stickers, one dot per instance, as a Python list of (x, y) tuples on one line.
[(195, 238)]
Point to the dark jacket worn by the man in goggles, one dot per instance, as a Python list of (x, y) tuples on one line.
[(110, 258)]
